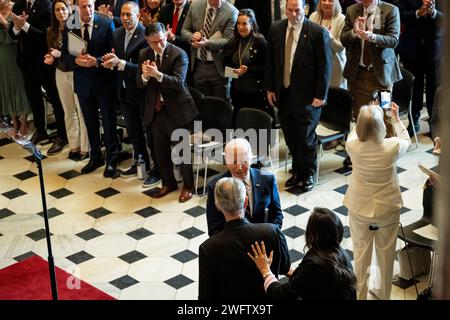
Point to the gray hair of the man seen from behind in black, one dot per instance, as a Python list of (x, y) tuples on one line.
[(229, 194)]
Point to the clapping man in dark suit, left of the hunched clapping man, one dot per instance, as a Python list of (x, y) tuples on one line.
[(128, 41)]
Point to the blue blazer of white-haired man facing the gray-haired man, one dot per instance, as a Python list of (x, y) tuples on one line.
[(265, 195)]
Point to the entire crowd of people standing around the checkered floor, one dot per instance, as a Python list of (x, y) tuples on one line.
[(143, 57)]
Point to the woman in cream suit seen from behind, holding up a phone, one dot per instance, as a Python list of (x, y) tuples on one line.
[(373, 195)]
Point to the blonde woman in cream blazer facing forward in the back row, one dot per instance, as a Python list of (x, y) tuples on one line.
[(329, 15)]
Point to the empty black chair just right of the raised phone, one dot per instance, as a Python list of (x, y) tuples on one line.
[(402, 95)]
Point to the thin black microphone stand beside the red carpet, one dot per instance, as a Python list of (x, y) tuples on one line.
[(27, 145)]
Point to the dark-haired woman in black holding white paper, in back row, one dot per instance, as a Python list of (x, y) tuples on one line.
[(247, 54)]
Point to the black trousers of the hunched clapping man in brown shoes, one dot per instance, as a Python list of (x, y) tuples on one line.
[(162, 127)]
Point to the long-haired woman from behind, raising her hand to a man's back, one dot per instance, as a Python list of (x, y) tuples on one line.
[(325, 272)]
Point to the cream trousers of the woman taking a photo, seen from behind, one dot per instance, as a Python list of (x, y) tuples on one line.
[(363, 241)]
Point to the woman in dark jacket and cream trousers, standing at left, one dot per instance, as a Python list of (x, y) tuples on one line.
[(73, 118)]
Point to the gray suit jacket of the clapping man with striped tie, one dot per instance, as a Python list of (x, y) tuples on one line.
[(221, 32)]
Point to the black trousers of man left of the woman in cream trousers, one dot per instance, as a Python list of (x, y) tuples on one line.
[(34, 78)]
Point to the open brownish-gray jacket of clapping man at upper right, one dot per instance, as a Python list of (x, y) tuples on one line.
[(387, 30)]
